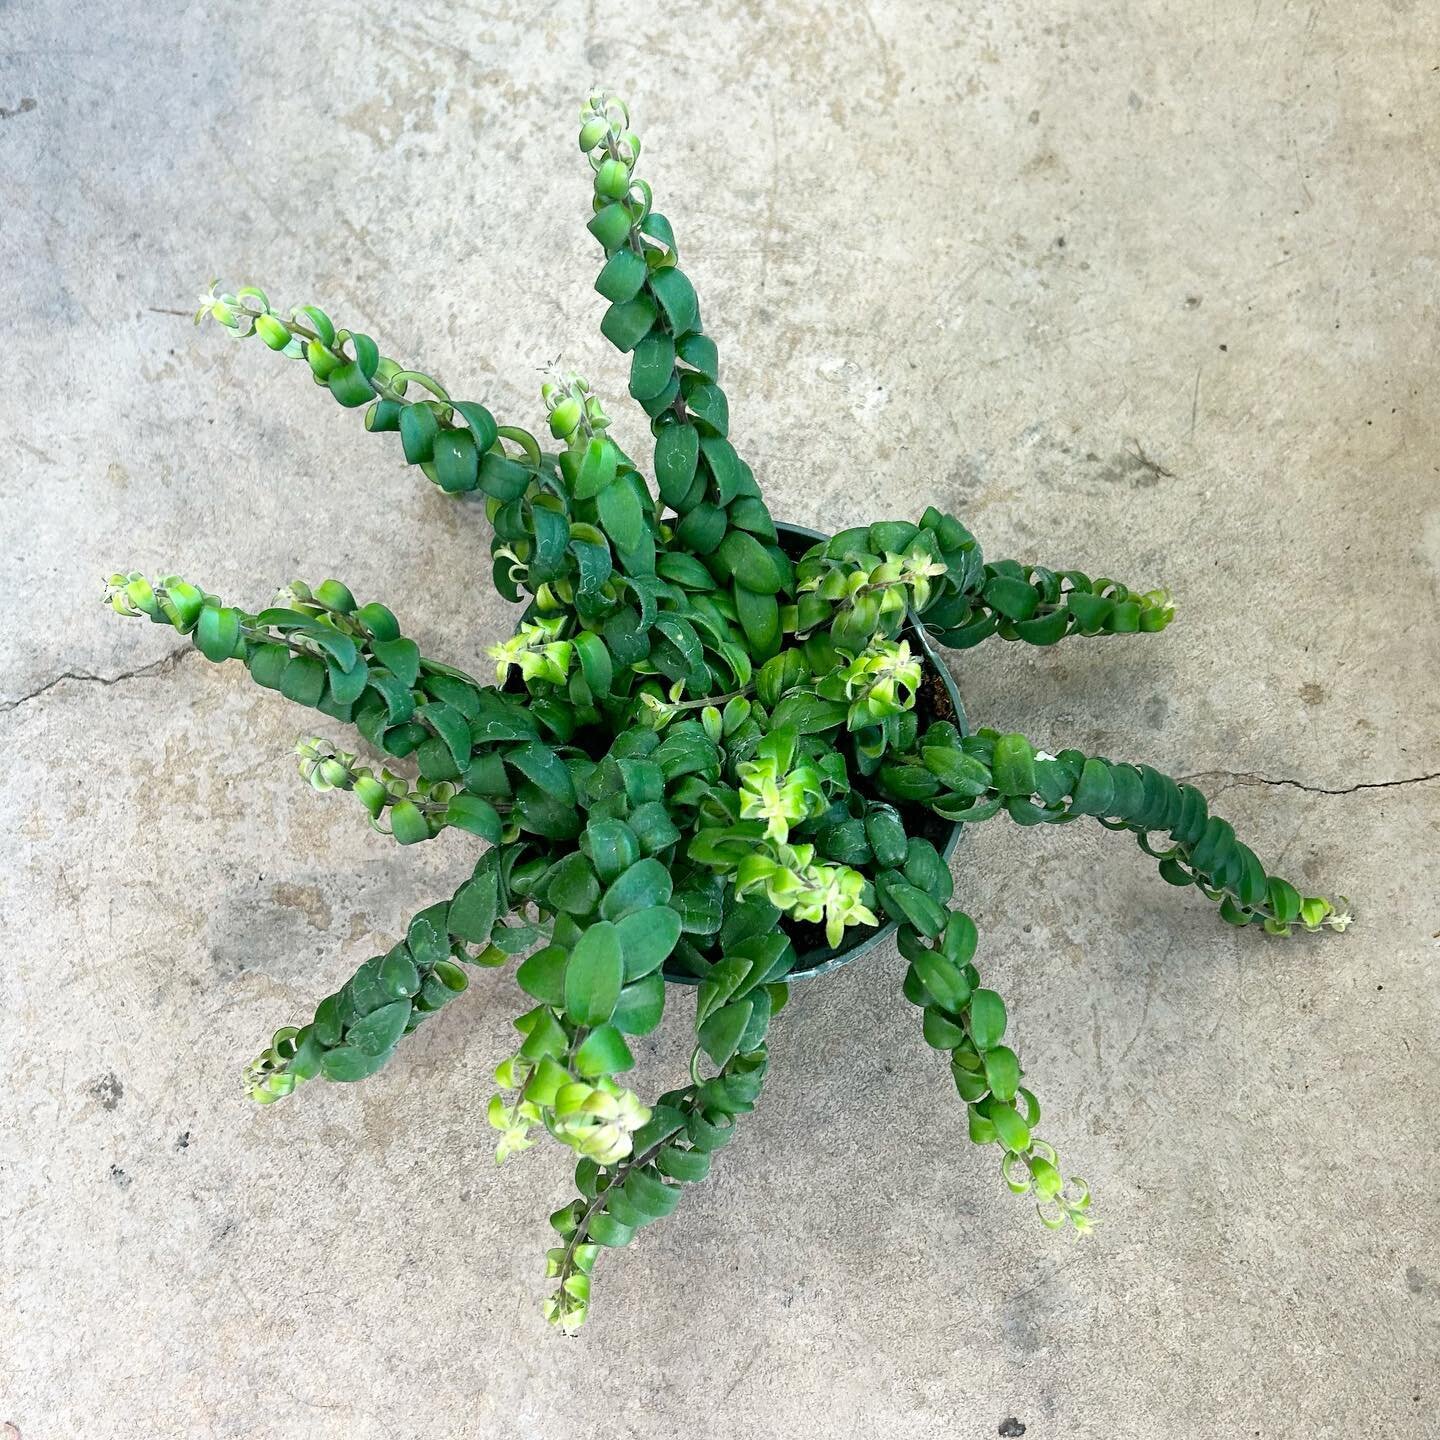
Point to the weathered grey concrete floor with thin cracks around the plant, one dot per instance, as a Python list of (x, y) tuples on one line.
[(1143, 289)]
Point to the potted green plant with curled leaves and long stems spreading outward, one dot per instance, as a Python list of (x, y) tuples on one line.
[(709, 755)]
